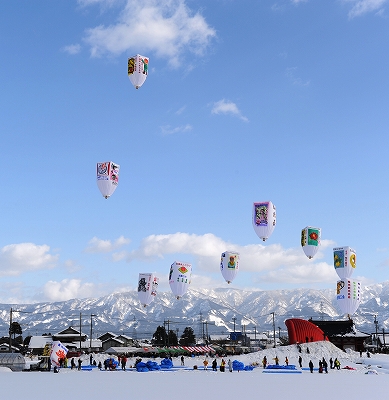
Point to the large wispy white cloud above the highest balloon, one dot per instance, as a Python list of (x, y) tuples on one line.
[(165, 27)]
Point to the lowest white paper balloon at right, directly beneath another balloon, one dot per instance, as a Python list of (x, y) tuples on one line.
[(348, 295)]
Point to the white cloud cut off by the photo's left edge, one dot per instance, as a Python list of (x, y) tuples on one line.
[(18, 258)]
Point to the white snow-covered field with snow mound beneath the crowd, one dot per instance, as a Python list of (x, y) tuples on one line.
[(369, 377)]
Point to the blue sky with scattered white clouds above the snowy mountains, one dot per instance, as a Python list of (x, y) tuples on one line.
[(245, 101)]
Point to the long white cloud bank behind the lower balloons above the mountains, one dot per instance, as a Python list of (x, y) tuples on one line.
[(272, 263)]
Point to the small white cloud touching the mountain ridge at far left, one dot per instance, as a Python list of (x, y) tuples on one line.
[(67, 289)]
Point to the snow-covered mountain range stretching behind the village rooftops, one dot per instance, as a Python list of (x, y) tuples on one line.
[(207, 311)]
